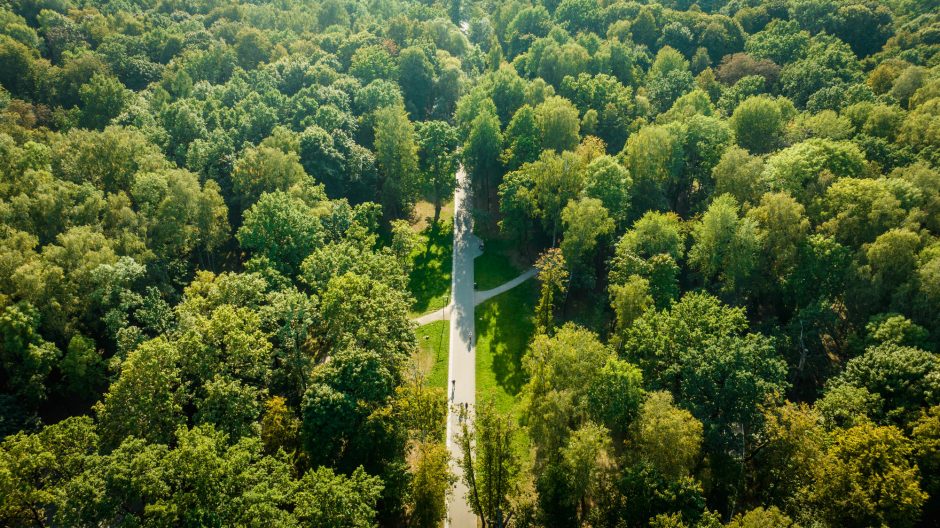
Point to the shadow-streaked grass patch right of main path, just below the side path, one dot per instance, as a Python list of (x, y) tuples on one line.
[(507, 319)]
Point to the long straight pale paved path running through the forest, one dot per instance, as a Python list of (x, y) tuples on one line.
[(461, 371)]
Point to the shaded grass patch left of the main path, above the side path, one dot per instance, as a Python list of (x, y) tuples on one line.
[(429, 281)]
